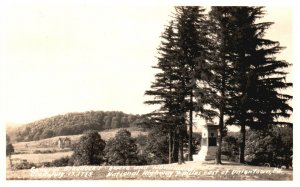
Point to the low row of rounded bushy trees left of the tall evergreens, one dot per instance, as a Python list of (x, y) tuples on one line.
[(122, 150)]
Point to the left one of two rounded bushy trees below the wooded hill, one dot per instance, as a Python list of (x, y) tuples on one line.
[(89, 149)]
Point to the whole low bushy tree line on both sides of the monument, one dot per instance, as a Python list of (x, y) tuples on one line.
[(273, 148)]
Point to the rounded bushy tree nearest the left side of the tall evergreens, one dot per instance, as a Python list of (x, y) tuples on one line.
[(122, 149)]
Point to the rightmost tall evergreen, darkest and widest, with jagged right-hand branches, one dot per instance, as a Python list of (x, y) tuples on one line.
[(259, 76)]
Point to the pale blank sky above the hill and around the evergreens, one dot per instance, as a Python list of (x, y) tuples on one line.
[(76, 57)]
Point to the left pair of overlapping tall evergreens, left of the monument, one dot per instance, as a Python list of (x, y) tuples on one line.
[(182, 62)]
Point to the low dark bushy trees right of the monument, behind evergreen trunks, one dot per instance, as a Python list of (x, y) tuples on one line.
[(263, 148)]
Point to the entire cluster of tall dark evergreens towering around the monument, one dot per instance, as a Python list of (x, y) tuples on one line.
[(218, 65)]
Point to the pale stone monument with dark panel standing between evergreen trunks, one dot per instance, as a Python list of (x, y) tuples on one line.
[(208, 143)]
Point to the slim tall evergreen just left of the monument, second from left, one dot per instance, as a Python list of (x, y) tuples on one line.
[(191, 26)]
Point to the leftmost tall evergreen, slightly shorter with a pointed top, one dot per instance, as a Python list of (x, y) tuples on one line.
[(163, 88)]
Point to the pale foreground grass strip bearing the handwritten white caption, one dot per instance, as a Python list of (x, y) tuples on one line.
[(187, 171)]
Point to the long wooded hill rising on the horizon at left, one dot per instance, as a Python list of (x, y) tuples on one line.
[(73, 124)]
